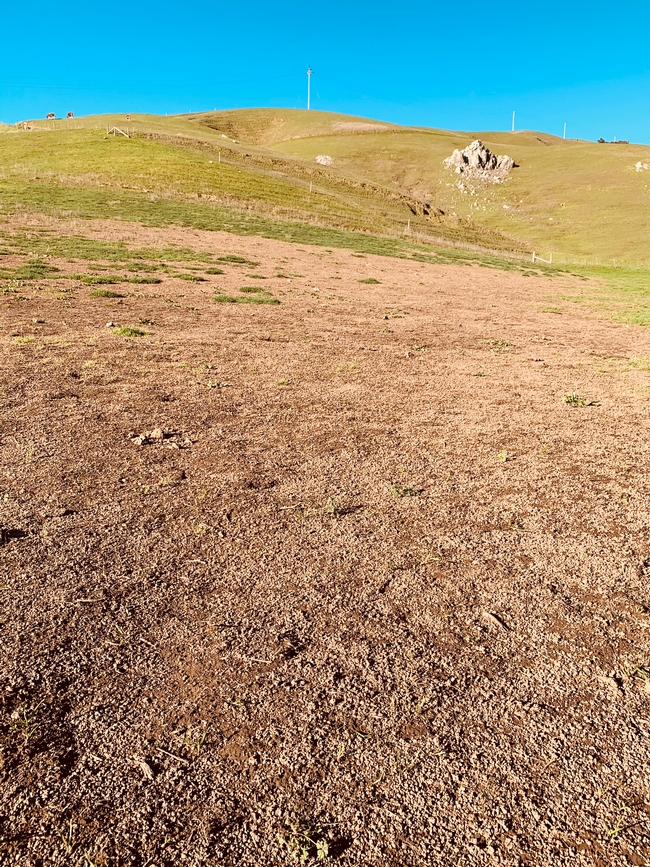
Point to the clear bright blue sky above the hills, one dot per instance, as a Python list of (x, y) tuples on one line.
[(441, 64)]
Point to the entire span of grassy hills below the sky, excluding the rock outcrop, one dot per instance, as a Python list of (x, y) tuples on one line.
[(255, 170)]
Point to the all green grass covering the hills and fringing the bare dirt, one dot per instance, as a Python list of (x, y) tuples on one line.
[(578, 198)]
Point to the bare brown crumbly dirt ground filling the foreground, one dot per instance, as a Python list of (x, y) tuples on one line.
[(369, 589)]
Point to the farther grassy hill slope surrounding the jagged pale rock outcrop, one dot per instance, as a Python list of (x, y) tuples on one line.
[(581, 199)]
